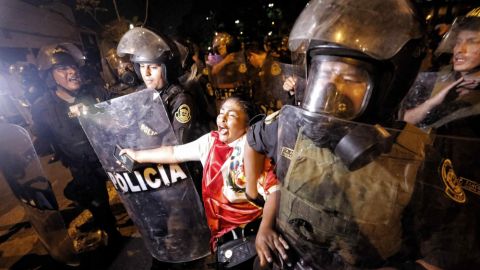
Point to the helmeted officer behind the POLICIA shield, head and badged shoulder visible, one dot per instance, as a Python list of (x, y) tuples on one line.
[(156, 59)]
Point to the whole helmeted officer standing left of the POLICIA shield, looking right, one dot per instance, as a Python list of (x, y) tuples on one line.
[(58, 65)]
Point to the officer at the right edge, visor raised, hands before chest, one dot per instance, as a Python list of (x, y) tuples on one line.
[(451, 108)]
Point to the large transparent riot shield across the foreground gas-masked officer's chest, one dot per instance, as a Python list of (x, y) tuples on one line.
[(424, 186)]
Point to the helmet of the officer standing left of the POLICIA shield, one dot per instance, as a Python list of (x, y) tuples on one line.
[(55, 55)]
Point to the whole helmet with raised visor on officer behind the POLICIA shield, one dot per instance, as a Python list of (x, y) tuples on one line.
[(147, 46)]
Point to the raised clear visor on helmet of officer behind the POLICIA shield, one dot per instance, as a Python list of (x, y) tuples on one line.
[(143, 44)]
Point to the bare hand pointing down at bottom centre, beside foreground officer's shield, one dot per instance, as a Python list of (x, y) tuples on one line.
[(268, 241)]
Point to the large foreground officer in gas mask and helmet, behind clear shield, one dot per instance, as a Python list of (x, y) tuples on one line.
[(345, 191)]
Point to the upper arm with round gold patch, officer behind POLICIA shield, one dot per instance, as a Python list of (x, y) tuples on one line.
[(184, 115)]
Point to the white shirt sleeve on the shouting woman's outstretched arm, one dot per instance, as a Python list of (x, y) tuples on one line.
[(194, 151)]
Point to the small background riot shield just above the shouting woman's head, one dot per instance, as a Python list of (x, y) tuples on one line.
[(228, 75)]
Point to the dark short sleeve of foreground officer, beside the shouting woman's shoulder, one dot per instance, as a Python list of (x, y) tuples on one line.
[(262, 136)]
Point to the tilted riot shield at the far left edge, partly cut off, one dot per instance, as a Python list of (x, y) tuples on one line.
[(22, 170)]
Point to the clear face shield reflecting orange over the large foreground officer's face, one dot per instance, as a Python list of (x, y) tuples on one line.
[(336, 87)]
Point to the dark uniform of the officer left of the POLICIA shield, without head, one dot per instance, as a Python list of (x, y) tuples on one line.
[(52, 118)]
